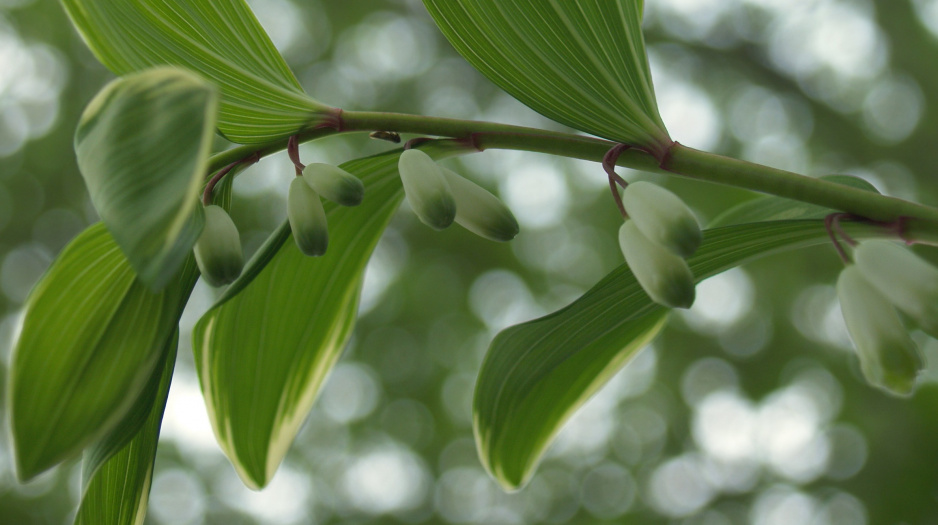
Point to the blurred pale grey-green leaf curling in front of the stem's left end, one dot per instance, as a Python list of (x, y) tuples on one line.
[(142, 146)]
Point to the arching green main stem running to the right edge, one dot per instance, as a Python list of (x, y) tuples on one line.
[(679, 160)]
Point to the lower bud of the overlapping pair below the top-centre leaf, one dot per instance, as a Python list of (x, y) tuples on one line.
[(664, 276)]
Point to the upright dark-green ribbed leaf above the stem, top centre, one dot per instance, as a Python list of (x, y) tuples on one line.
[(580, 63)]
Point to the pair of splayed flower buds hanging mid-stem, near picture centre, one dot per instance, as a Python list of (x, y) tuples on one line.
[(440, 197)]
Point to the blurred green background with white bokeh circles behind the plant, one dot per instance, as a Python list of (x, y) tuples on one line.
[(748, 409)]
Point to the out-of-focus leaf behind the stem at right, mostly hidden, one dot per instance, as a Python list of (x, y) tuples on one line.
[(772, 208)]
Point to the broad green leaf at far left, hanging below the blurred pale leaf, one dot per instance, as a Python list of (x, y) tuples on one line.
[(92, 335)]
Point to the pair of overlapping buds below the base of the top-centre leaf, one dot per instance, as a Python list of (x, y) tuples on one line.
[(660, 233)]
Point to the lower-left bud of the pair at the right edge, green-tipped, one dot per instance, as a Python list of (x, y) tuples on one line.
[(888, 356)]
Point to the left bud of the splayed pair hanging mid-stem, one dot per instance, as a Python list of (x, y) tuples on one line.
[(426, 188)]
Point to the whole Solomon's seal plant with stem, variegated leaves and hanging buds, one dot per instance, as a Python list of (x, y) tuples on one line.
[(94, 359)]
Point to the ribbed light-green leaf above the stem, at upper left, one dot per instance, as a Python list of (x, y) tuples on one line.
[(221, 40)]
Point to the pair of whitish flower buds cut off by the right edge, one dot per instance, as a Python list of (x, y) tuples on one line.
[(884, 278)]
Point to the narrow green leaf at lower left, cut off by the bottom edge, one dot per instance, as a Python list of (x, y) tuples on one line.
[(116, 491)]
